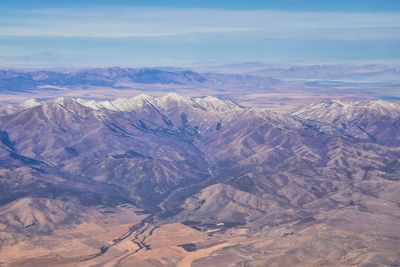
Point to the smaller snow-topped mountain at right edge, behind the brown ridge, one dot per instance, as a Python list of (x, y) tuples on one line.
[(375, 121)]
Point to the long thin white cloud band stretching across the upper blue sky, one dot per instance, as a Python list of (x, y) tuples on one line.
[(117, 22)]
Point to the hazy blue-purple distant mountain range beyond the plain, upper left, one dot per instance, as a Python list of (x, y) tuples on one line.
[(14, 81)]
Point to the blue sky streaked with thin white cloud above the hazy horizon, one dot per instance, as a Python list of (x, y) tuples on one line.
[(190, 33)]
